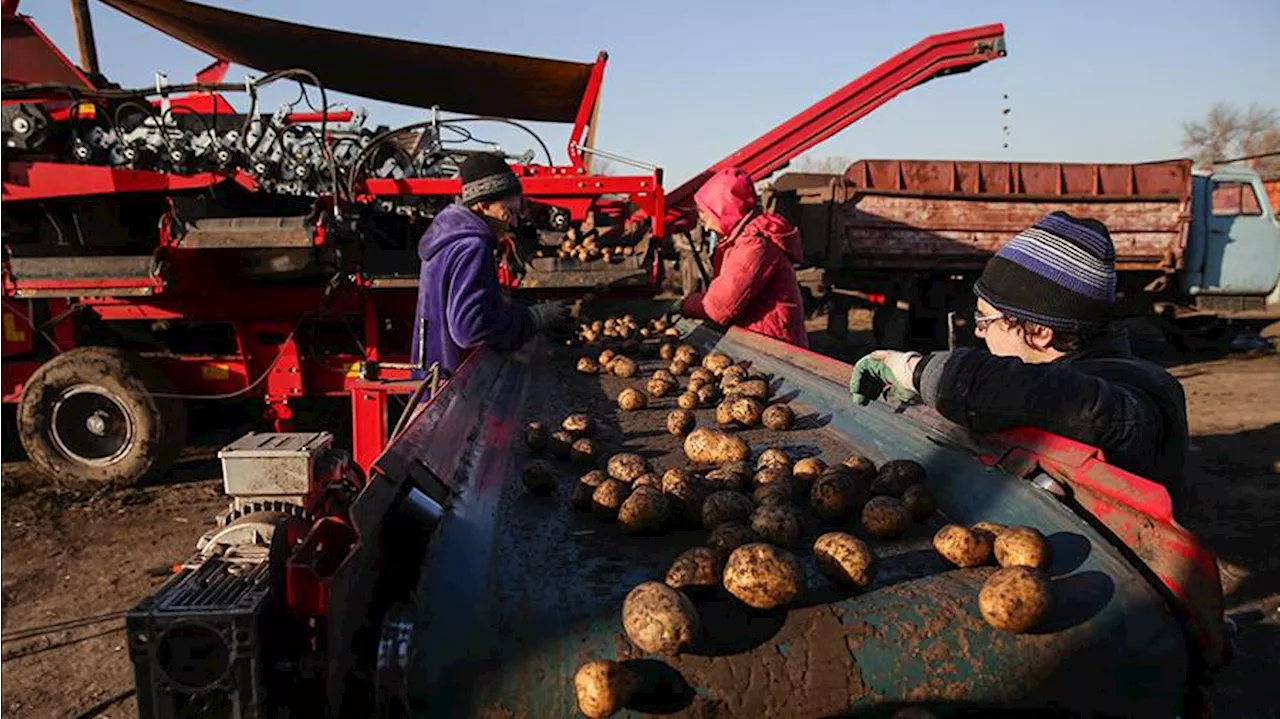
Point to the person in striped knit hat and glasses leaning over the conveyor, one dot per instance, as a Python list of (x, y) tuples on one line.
[(1052, 360)]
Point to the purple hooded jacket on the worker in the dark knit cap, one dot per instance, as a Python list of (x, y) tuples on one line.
[(459, 296)]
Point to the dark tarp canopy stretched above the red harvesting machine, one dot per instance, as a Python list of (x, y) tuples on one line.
[(380, 68)]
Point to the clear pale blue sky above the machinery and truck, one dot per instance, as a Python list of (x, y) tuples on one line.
[(692, 81)]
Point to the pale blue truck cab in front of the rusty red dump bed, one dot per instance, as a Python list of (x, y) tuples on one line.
[(1233, 248)]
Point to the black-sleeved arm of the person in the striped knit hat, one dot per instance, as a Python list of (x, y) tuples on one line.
[(988, 393)]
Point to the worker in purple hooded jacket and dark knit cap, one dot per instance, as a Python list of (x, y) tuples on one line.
[(460, 304)]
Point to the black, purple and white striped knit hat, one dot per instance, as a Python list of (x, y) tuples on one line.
[(1059, 273)]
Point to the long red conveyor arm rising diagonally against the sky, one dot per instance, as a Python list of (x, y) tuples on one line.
[(936, 56)]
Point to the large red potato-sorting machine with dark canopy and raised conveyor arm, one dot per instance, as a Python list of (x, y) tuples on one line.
[(163, 246)]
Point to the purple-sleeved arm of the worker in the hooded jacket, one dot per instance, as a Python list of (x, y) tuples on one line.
[(474, 306)]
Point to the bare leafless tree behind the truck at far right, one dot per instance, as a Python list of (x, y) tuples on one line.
[(1227, 132)]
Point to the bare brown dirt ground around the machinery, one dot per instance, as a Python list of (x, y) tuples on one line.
[(77, 555)]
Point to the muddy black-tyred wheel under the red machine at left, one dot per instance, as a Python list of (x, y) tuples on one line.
[(89, 416)]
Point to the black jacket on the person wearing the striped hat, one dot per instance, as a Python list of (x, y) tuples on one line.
[(1103, 396)]
